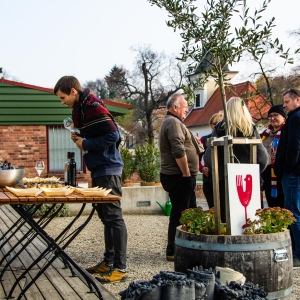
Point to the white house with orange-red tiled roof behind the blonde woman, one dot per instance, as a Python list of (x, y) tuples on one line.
[(209, 102)]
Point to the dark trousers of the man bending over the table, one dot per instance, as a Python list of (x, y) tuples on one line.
[(115, 231)]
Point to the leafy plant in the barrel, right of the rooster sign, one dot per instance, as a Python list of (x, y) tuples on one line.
[(269, 220)]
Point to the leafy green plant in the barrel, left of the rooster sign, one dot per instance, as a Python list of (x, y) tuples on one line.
[(199, 221)]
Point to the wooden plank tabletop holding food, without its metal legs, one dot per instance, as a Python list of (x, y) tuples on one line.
[(7, 197)]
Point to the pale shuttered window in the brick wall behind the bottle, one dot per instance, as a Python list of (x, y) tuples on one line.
[(59, 143)]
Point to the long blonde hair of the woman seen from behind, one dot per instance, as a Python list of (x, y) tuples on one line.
[(239, 117)]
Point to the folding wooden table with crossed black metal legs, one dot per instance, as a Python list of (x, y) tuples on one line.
[(55, 246)]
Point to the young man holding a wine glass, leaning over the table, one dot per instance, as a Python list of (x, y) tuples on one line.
[(99, 139)]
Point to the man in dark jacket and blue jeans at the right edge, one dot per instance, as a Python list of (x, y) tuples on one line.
[(287, 164)]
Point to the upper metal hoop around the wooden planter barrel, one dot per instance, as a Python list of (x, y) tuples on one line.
[(231, 247)]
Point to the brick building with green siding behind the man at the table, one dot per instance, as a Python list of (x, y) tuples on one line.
[(31, 128)]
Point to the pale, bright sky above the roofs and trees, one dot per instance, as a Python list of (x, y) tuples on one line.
[(42, 41)]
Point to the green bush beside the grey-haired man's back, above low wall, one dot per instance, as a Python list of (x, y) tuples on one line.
[(147, 162)]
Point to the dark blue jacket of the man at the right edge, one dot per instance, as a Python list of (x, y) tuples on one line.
[(288, 151)]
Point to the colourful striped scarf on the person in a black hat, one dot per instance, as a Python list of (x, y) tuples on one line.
[(275, 141)]
